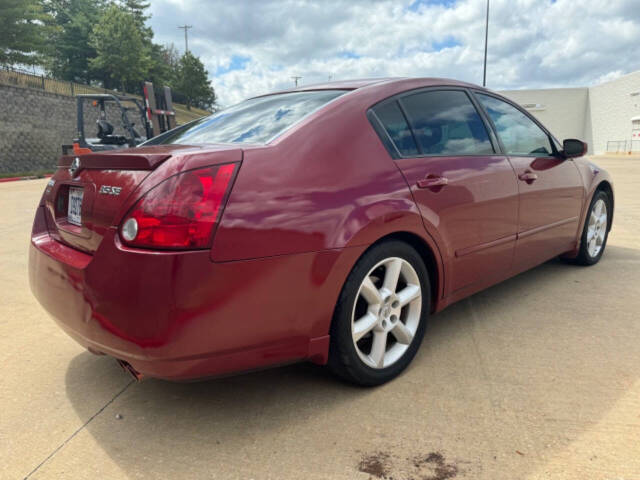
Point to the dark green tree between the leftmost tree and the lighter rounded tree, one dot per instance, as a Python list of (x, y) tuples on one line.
[(71, 50)]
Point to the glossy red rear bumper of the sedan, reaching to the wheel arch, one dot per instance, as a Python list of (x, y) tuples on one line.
[(179, 315)]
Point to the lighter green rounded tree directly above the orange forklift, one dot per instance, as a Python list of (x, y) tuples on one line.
[(120, 50)]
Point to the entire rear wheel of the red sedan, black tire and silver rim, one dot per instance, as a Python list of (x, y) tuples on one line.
[(363, 317)]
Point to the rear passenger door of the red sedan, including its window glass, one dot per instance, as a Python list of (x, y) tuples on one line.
[(465, 190)]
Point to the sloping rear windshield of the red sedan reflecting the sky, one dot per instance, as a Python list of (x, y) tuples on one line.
[(257, 120)]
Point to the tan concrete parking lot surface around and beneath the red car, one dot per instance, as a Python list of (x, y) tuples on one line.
[(535, 378)]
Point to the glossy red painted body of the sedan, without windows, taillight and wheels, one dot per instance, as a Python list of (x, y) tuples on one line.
[(301, 211)]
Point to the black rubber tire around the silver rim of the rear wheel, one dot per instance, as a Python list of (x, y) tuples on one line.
[(344, 360)]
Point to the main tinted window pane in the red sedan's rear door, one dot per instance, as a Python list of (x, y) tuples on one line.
[(445, 122)]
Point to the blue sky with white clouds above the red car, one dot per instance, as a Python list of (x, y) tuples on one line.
[(252, 47)]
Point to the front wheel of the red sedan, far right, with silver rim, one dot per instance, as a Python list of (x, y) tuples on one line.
[(596, 227)]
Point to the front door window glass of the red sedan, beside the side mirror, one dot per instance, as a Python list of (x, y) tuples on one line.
[(519, 134)]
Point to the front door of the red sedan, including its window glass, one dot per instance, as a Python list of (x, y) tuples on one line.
[(550, 187)]
